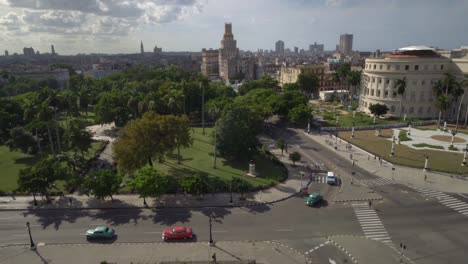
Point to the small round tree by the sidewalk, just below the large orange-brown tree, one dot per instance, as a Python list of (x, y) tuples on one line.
[(149, 183)]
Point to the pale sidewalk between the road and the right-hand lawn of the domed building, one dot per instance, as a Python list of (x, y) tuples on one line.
[(404, 175)]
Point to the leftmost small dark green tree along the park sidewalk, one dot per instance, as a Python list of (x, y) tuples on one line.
[(42, 176)]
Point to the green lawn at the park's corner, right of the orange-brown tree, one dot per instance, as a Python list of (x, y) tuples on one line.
[(199, 159)]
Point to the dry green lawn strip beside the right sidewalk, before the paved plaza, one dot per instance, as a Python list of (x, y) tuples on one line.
[(445, 161)]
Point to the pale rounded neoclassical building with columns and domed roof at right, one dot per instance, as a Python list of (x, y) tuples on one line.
[(422, 67)]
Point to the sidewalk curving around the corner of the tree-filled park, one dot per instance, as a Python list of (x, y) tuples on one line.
[(282, 191)]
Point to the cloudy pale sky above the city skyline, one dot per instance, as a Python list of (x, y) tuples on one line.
[(118, 26)]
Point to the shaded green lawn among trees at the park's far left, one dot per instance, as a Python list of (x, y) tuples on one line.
[(11, 162)]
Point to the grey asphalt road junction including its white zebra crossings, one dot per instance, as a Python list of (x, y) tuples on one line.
[(432, 224)]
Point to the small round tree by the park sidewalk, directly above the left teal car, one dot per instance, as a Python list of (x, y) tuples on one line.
[(101, 183)]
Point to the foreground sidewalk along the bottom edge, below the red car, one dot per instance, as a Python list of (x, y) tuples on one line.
[(184, 252)]
